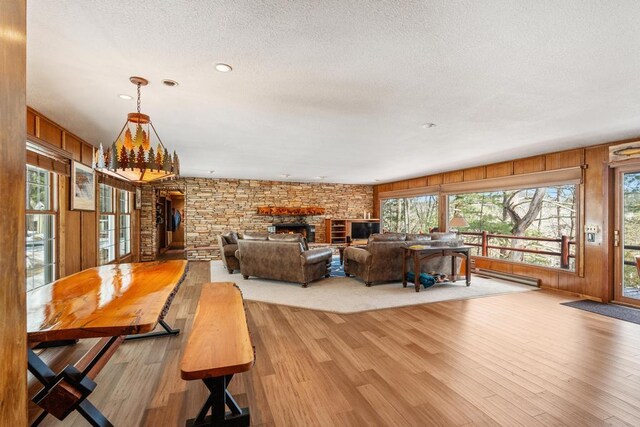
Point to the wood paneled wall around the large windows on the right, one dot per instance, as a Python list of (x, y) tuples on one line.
[(596, 209)]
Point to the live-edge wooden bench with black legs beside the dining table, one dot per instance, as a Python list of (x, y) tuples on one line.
[(219, 347)]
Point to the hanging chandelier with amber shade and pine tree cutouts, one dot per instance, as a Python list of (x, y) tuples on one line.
[(132, 156)]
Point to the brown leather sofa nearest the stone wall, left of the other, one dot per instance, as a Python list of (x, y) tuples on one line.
[(282, 257)]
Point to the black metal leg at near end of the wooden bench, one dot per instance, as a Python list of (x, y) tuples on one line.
[(218, 401)]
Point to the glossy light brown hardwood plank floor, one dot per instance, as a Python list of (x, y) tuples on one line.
[(518, 359)]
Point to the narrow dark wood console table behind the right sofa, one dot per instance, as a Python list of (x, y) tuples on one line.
[(420, 253)]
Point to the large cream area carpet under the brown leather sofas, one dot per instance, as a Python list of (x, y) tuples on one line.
[(350, 295)]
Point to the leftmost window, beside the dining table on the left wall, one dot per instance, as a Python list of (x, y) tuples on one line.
[(40, 228)]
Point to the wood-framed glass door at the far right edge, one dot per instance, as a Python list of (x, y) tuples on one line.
[(627, 235)]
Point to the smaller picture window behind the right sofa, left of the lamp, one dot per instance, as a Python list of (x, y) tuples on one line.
[(410, 214)]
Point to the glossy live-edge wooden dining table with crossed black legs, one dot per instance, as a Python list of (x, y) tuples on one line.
[(108, 302)]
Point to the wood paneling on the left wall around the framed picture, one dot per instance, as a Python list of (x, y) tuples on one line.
[(78, 233)]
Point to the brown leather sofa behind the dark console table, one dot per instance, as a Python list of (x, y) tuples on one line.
[(381, 259)]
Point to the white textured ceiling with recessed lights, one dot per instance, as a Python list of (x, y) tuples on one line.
[(341, 88)]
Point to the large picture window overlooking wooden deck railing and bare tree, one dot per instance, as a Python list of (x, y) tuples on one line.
[(533, 226)]
